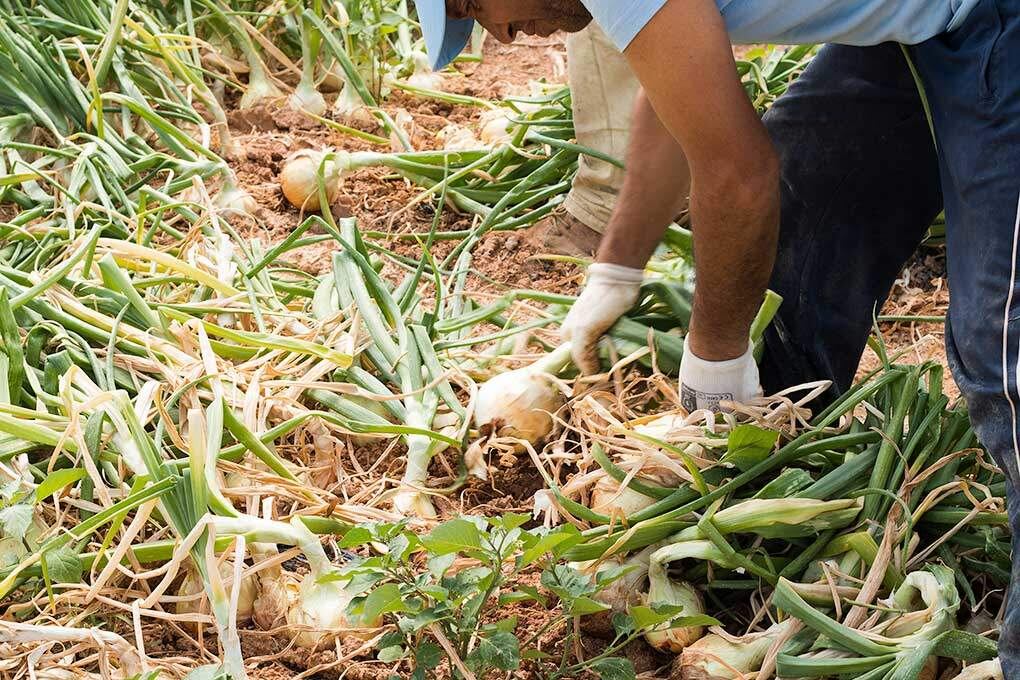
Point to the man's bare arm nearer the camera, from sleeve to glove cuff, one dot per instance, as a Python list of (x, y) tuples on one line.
[(686, 65)]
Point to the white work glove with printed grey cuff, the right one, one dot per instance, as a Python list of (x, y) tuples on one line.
[(705, 384)]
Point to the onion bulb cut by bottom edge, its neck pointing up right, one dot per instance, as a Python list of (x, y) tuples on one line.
[(719, 658)]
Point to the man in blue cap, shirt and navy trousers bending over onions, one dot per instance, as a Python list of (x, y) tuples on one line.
[(846, 158)]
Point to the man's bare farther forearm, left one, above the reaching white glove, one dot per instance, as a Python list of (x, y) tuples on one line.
[(655, 189)]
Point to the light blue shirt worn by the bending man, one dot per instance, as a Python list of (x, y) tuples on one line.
[(799, 22)]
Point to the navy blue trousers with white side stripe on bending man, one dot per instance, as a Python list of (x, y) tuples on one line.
[(861, 183)]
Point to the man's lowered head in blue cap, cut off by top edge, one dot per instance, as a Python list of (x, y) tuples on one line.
[(448, 24)]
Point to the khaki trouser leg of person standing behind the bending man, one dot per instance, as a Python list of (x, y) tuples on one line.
[(604, 89)]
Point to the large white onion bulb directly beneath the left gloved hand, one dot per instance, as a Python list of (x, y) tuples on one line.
[(521, 404)]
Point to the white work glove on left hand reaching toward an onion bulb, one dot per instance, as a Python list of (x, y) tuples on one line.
[(611, 291)]
